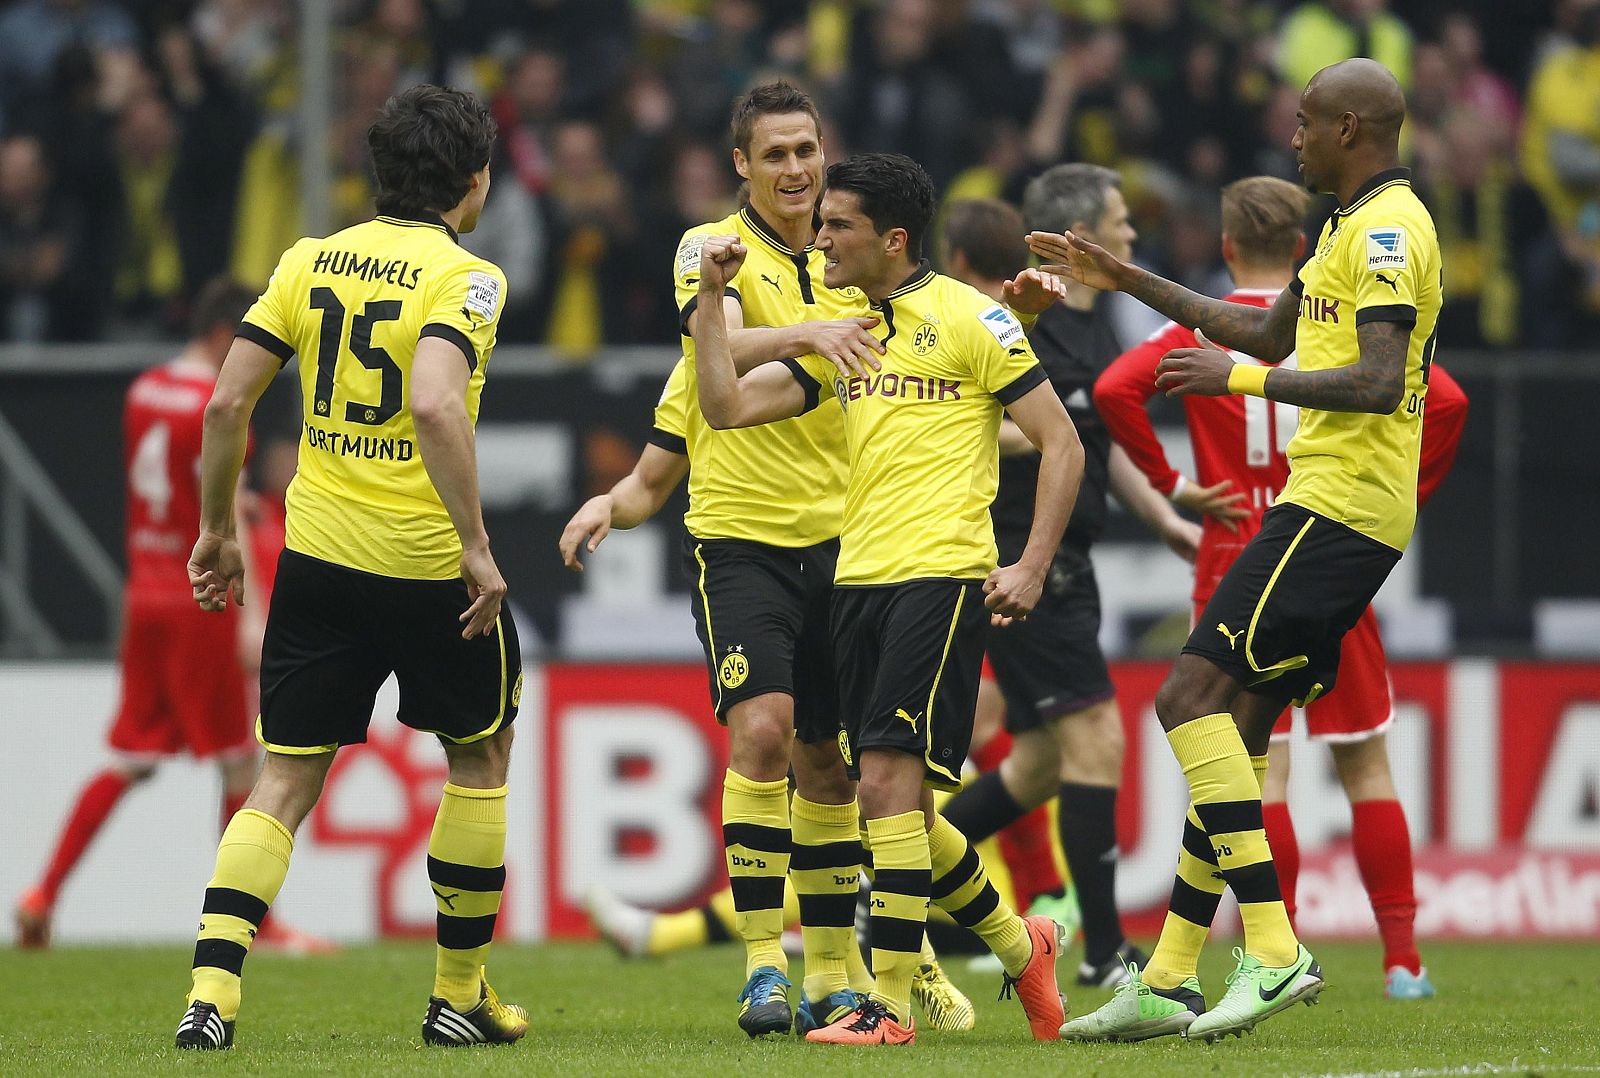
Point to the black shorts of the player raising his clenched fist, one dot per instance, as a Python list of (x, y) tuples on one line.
[(910, 658)]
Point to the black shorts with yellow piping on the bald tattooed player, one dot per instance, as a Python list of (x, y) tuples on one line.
[(1281, 612)]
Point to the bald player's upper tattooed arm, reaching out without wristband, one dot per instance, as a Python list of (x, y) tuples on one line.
[(1265, 333)]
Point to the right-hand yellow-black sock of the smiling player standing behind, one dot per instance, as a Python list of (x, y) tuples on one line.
[(826, 874)]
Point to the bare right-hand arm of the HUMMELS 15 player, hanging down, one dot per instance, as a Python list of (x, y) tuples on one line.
[(444, 437)]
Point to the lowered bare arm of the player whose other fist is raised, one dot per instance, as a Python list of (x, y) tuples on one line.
[(1014, 591)]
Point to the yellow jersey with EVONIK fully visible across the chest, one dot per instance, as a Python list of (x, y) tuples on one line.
[(924, 433)]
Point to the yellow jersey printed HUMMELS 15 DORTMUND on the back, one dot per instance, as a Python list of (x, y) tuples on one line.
[(353, 308)]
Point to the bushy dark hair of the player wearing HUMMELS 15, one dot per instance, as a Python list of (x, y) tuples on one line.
[(426, 146)]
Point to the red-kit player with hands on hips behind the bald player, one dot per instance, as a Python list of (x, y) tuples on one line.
[(1239, 447)]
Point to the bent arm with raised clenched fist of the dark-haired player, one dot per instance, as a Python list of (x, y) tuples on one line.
[(729, 401)]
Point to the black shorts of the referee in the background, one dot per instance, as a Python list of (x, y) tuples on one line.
[(1050, 665)]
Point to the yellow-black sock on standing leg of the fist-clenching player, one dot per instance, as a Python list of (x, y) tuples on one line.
[(903, 877)]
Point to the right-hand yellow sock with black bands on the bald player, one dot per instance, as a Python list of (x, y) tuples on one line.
[(1228, 802)]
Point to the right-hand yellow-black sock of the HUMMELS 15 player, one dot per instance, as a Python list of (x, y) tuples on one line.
[(466, 864)]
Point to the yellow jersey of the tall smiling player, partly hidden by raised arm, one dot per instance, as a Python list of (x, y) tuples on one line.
[(782, 484)]
